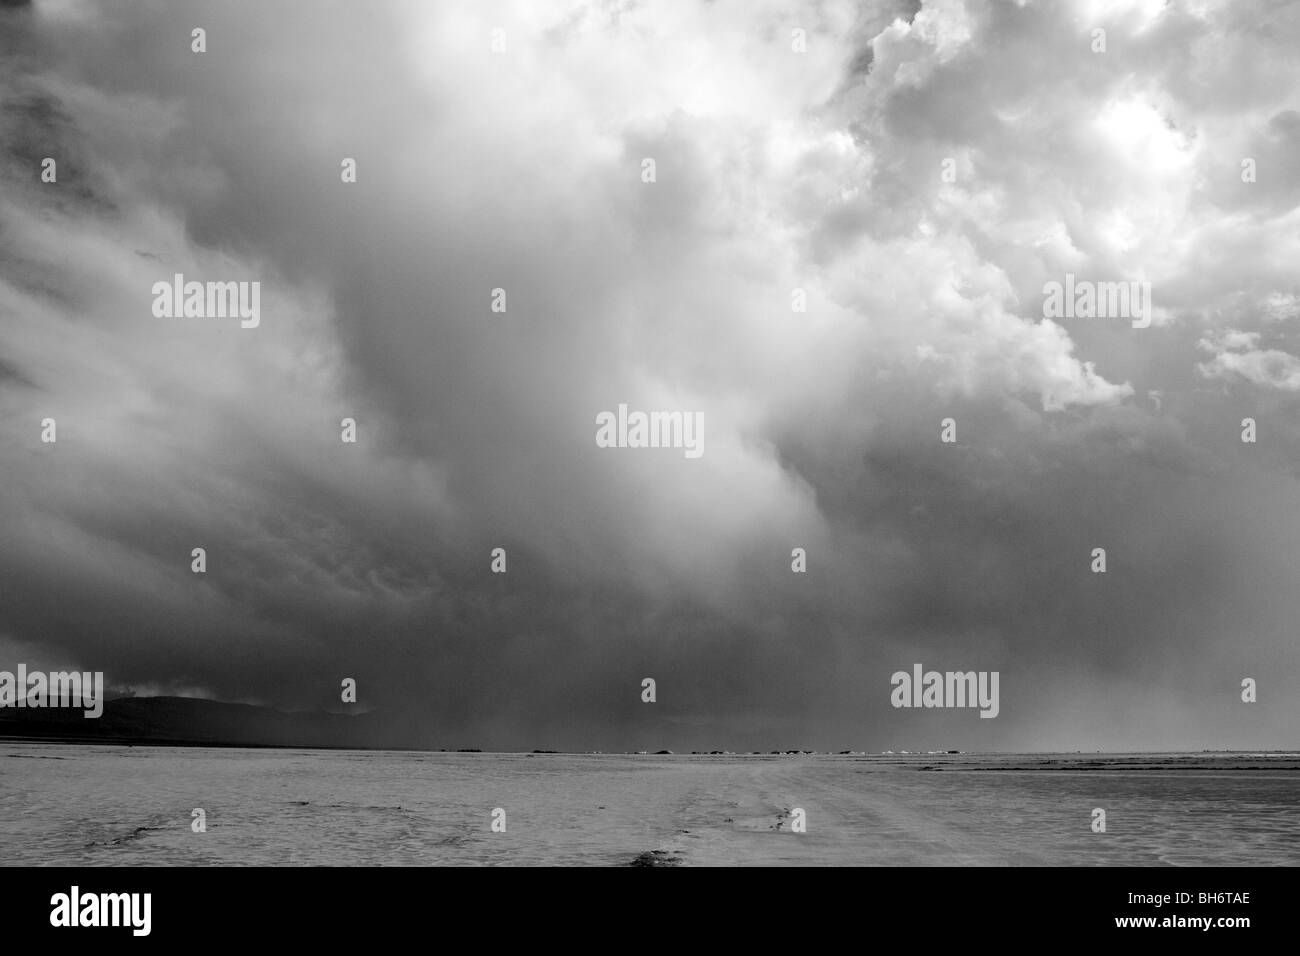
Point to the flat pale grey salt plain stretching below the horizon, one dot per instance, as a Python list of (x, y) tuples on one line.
[(118, 806)]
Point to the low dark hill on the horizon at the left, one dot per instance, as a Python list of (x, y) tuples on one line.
[(193, 721)]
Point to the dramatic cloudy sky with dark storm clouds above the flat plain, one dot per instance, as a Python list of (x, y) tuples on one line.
[(775, 171)]
